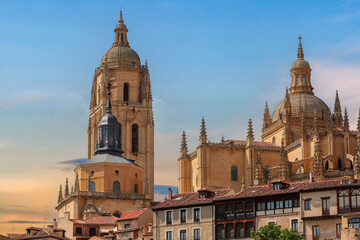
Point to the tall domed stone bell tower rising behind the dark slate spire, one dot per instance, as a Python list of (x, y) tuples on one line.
[(132, 103)]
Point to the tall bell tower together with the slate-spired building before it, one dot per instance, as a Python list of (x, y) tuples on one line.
[(119, 175)]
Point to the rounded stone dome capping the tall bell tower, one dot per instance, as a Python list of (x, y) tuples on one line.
[(121, 54)]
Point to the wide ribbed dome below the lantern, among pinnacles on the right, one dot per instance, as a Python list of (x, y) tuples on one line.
[(308, 102)]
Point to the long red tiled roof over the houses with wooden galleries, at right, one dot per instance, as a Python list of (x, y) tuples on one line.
[(264, 190)]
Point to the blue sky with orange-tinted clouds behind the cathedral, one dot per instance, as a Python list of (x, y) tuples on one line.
[(217, 59)]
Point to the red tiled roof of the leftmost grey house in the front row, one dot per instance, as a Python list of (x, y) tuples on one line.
[(190, 199)]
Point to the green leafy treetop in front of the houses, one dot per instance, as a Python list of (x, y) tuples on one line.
[(274, 232)]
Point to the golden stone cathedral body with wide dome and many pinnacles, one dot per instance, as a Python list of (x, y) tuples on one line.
[(302, 140)]
